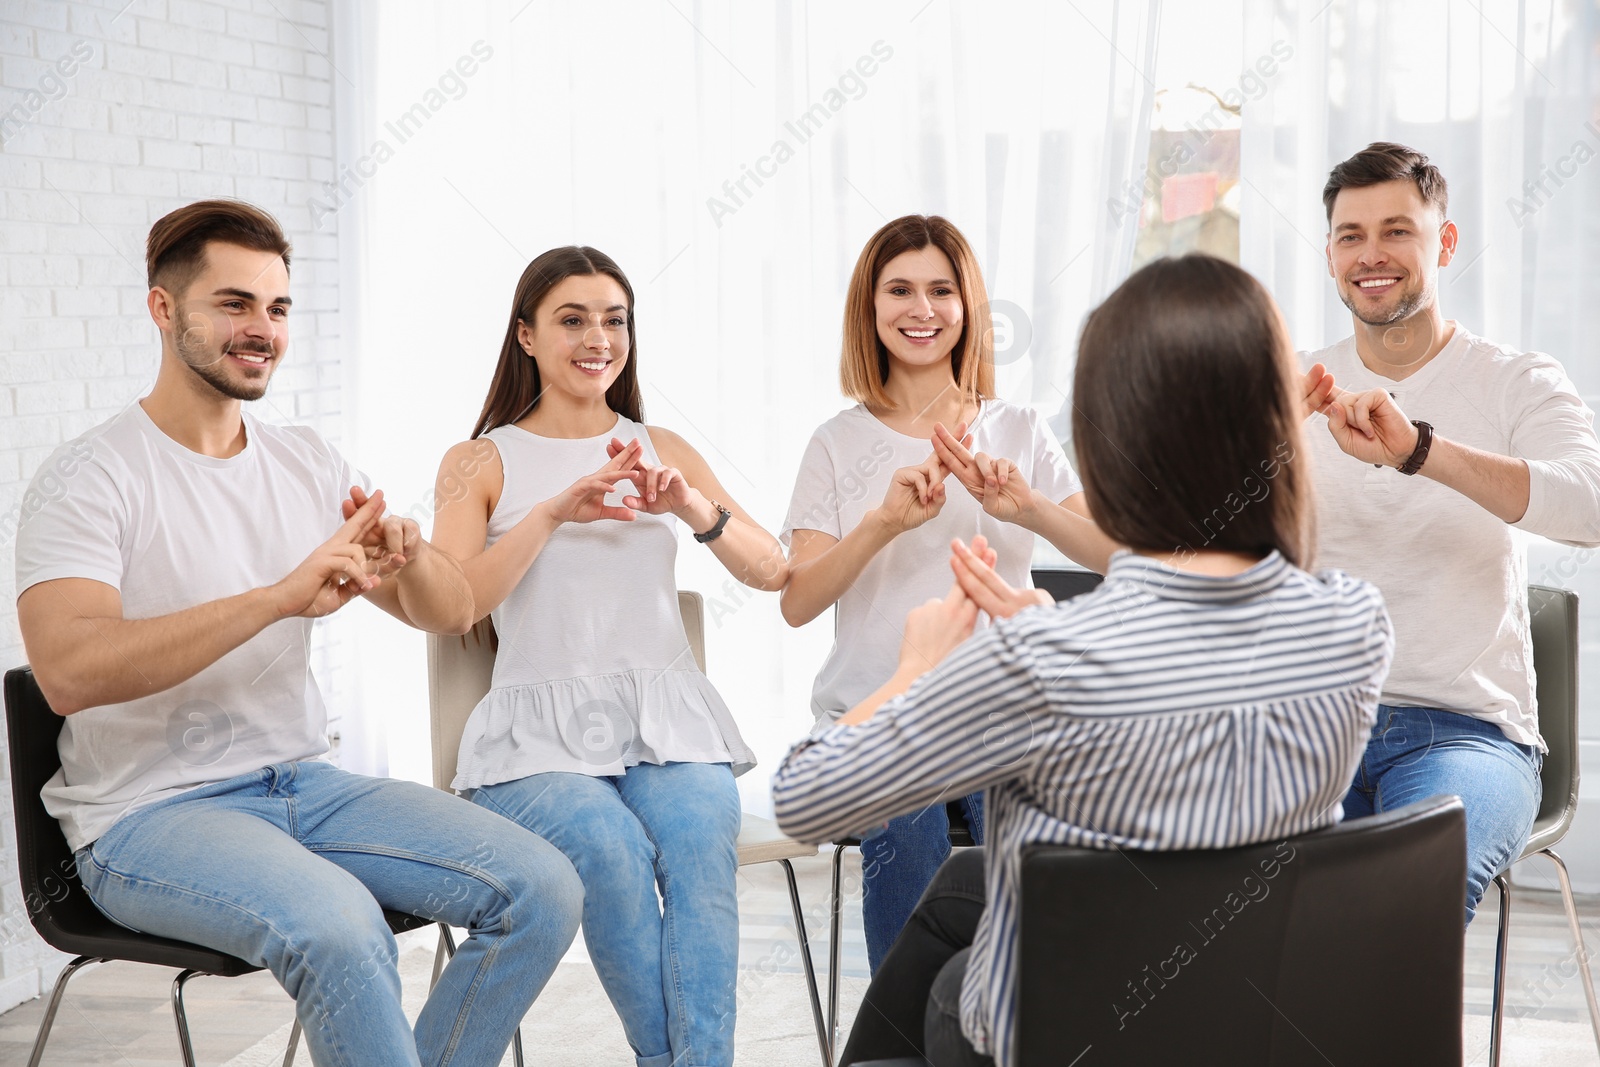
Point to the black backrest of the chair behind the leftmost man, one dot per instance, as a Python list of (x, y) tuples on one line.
[(55, 900)]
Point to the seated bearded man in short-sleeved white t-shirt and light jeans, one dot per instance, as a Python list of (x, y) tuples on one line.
[(169, 578)]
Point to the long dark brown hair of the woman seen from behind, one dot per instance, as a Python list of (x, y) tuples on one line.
[(1188, 415)]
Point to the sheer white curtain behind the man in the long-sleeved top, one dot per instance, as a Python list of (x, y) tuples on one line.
[(1505, 97)]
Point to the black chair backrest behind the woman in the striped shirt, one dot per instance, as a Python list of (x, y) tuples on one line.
[(1250, 956)]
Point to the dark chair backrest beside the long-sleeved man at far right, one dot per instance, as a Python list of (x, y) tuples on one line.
[(1554, 625)]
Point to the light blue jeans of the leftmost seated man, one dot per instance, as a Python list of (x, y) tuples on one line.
[(290, 869)]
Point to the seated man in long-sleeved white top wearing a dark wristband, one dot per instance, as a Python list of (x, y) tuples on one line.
[(1439, 446)]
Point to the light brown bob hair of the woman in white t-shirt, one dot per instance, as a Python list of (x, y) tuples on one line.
[(865, 362)]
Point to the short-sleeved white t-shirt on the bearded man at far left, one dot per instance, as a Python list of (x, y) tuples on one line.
[(170, 530)]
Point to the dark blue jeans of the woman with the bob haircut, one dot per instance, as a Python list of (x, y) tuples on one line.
[(898, 861)]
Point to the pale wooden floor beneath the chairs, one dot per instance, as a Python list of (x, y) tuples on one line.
[(121, 1015)]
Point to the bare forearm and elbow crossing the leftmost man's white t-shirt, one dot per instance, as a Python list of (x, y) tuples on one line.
[(90, 661)]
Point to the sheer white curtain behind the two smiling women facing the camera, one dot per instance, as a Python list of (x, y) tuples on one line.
[(734, 159)]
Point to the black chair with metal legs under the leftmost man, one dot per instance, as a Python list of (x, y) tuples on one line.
[(60, 906)]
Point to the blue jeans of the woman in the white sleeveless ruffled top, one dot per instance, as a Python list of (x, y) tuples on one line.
[(670, 965)]
